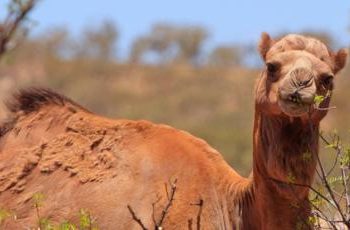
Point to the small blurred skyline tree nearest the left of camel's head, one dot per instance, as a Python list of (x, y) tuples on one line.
[(225, 56)]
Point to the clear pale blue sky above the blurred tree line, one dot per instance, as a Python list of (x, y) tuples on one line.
[(229, 21)]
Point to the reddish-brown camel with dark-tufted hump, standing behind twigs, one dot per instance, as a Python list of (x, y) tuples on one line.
[(140, 175)]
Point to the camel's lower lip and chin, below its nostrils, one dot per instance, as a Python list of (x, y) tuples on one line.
[(293, 108)]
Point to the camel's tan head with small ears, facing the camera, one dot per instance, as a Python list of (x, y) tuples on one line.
[(298, 69)]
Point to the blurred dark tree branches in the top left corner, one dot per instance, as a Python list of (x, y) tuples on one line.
[(14, 22)]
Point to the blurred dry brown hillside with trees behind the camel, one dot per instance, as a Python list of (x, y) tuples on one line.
[(168, 77)]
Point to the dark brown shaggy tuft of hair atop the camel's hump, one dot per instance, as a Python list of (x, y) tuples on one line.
[(33, 99)]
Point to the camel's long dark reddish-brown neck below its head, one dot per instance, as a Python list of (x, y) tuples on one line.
[(285, 153)]
